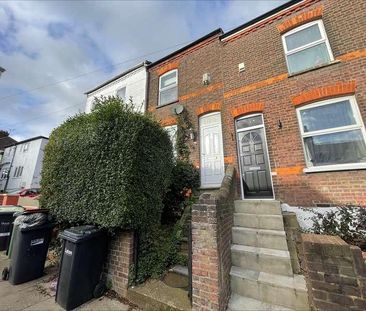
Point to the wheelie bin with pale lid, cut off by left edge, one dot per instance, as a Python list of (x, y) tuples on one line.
[(6, 224)]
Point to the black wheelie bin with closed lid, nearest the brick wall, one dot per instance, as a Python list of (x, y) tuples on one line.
[(83, 254)]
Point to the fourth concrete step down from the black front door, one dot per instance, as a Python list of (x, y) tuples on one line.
[(261, 259)]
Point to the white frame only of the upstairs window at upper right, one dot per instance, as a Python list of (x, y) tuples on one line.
[(324, 39)]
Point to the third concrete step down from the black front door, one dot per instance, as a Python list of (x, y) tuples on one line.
[(264, 238)]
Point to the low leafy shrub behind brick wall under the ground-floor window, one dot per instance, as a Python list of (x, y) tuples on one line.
[(347, 222)]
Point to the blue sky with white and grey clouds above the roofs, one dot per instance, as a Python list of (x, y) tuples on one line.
[(54, 51)]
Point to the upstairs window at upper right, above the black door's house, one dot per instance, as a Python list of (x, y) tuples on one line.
[(307, 47)]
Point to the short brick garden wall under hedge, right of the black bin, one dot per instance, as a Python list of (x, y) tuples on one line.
[(119, 261)]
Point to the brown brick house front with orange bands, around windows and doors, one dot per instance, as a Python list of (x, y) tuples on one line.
[(265, 81)]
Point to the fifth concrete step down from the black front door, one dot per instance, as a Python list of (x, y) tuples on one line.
[(289, 292)]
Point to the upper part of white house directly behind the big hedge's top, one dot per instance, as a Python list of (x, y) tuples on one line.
[(129, 85)]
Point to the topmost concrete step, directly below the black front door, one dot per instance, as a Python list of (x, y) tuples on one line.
[(262, 207)]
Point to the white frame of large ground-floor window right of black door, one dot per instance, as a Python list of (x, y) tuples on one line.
[(358, 126)]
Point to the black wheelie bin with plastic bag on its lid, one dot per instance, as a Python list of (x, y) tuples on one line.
[(31, 237)]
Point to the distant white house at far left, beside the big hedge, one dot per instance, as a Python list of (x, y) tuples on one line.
[(21, 164)]
